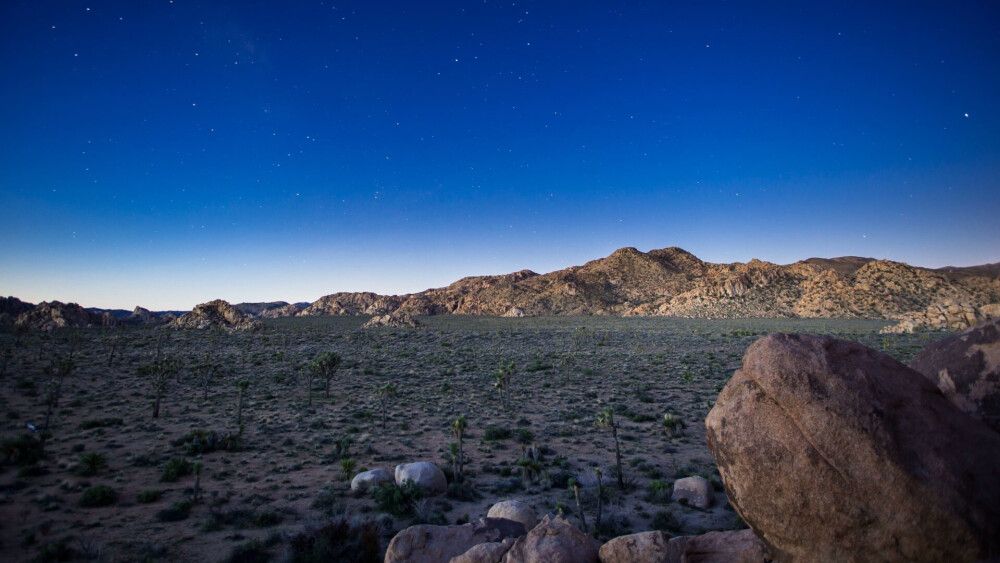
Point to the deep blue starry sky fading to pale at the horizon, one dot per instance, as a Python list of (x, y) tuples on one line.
[(167, 153)]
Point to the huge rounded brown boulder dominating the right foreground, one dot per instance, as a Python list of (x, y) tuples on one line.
[(831, 451)]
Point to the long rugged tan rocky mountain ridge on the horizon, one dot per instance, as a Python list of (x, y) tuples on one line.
[(674, 282)]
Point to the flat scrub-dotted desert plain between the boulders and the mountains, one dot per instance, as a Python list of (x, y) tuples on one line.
[(113, 483)]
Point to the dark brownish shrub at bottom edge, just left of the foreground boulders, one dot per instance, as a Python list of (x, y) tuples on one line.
[(339, 539)]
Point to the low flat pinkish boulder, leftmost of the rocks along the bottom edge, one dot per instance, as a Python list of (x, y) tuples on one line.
[(433, 544)]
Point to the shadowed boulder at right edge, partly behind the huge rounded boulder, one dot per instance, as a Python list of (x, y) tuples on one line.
[(966, 368)]
